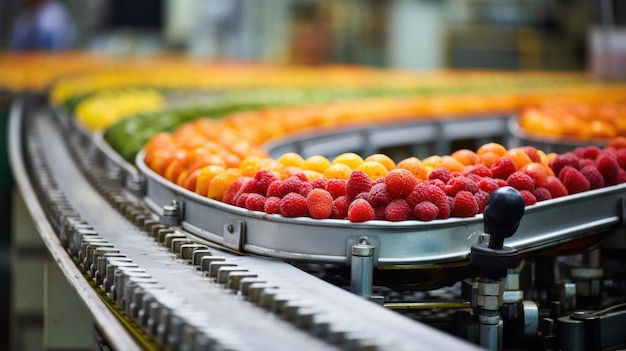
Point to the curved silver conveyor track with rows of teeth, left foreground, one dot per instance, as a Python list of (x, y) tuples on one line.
[(152, 286)]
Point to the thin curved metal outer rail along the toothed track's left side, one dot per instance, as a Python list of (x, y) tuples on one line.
[(116, 335)]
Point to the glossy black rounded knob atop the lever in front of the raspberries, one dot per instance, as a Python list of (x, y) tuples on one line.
[(502, 215)]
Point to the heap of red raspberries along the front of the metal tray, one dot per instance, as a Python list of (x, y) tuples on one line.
[(399, 196)]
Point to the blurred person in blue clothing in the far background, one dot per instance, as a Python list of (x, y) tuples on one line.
[(42, 25)]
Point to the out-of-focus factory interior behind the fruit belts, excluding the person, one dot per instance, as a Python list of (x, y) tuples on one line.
[(422, 34)]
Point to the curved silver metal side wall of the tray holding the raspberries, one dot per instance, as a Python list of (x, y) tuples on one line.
[(544, 225)]
